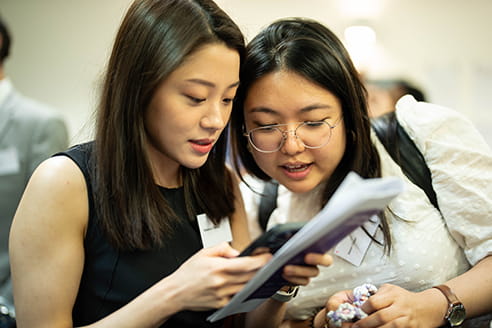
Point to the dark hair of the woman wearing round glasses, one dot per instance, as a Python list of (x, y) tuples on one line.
[(311, 50)]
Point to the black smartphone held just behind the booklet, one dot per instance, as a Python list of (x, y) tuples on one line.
[(273, 239)]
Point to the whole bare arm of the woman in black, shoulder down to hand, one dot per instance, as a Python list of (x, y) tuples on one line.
[(47, 258)]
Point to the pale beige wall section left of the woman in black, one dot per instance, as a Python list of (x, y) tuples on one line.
[(59, 51)]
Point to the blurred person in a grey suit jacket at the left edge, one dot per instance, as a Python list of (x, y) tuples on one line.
[(29, 133)]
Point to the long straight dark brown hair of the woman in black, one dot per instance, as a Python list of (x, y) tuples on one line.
[(154, 38)]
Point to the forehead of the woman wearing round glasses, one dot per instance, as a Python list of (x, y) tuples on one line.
[(288, 93)]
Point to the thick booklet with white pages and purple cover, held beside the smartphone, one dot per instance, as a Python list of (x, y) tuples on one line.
[(354, 202)]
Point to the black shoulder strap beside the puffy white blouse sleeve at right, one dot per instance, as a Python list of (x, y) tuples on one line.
[(404, 152)]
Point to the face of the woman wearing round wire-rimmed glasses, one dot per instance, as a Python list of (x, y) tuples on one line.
[(284, 97)]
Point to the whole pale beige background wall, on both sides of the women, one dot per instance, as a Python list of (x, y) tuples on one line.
[(61, 46)]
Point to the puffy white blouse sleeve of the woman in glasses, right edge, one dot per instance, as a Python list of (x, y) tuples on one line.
[(460, 162)]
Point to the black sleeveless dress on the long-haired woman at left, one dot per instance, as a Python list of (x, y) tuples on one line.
[(113, 278)]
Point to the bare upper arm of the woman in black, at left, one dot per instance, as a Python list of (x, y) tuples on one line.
[(46, 245)]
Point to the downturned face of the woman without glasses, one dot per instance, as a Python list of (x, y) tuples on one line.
[(190, 109)]
